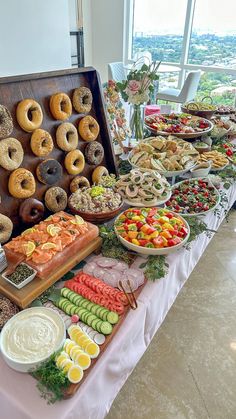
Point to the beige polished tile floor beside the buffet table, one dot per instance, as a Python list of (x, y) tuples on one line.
[(189, 370)]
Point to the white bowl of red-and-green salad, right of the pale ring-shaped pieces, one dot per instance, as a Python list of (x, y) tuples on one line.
[(193, 197)]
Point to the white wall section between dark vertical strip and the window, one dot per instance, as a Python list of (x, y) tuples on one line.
[(104, 25)]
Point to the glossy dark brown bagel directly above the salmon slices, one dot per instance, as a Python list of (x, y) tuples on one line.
[(31, 211)]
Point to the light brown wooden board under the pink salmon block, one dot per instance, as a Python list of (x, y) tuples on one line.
[(23, 297)]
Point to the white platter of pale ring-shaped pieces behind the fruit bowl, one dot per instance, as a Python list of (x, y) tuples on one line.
[(143, 188)]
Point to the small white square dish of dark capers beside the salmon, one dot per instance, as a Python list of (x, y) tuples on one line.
[(21, 276)]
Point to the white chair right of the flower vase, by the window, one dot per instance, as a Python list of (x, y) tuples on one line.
[(185, 94)]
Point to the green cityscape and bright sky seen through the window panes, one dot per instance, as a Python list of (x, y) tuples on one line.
[(159, 29)]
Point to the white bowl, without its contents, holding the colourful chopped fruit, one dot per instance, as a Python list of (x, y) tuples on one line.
[(148, 251)]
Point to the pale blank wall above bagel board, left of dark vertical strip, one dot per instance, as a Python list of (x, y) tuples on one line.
[(34, 36)]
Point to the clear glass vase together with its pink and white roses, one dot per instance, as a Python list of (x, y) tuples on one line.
[(136, 90)]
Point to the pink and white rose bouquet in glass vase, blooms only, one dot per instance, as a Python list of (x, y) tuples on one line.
[(139, 85)]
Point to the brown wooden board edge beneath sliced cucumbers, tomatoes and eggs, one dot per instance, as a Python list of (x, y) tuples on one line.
[(73, 388)]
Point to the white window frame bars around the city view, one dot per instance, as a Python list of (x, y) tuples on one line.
[(184, 66)]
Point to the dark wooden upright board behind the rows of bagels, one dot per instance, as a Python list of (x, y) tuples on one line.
[(40, 86)]
